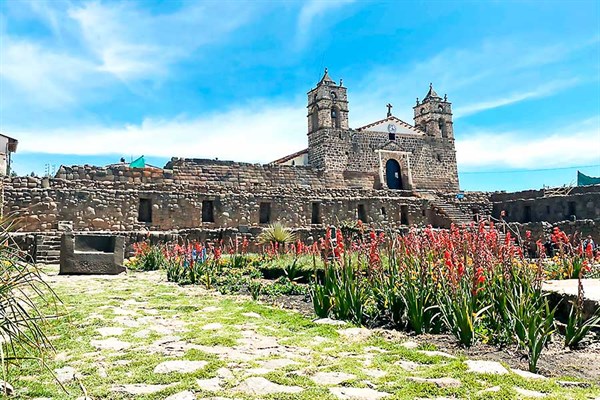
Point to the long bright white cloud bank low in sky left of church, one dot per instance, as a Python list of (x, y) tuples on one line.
[(251, 134)]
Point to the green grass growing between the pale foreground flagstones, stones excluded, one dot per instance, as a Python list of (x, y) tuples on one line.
[(92, 303)]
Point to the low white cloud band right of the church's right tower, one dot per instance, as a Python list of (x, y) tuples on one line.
[(577, 144)]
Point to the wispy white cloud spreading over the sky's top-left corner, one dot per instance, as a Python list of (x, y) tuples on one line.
[(93, 43)]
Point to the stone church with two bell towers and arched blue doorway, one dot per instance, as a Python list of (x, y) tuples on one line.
[(386, 154)]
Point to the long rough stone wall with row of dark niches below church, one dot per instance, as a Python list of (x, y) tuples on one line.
[(93, 205)]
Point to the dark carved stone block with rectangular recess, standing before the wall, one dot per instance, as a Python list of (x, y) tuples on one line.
[(91, 254)]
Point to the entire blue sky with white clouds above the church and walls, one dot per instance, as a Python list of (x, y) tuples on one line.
[(91, 81)]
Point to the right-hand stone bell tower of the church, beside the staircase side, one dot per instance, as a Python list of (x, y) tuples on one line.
[(434, 115)]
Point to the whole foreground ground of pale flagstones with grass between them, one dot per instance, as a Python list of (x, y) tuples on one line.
[(138, 337)]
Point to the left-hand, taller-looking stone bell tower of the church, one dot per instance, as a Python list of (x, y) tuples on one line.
[(327, 105)]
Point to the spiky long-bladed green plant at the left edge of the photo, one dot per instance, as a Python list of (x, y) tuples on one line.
[(24, 303)]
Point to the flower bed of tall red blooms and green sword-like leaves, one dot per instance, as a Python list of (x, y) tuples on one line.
[(472, 282)]
